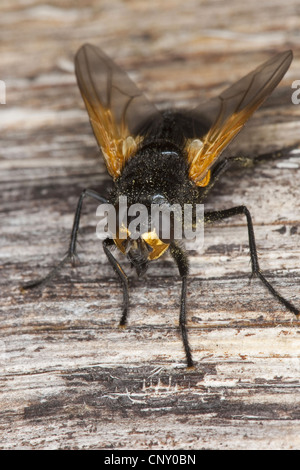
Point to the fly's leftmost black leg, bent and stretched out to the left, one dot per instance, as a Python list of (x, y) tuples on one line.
[(71, 253)]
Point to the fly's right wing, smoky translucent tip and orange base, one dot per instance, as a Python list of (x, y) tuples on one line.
[(225, 115)]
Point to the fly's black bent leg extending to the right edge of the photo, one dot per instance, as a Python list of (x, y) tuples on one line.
[(224, 214)]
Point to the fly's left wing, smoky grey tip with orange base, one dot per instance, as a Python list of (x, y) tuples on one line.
[(116, 107)]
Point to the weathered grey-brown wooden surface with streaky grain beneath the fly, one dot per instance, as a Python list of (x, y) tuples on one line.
[(70, 378)]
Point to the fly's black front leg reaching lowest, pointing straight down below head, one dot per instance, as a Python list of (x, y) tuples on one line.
[(181, 260)]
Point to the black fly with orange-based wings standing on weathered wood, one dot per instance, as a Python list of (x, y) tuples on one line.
[(168, 158)]
